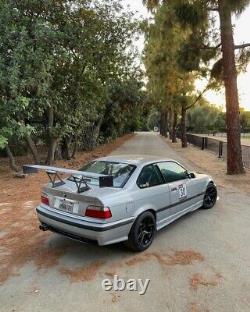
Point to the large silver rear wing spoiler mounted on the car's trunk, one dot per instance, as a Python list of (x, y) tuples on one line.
[(81, 183)]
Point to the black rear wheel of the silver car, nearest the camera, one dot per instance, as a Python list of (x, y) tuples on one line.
[(142, 232)]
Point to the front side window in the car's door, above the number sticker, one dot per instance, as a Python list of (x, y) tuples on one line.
[(171, 171)]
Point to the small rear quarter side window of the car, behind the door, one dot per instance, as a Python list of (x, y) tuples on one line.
[(149, 176)]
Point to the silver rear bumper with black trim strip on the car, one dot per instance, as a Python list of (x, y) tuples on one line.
[(76, 227)]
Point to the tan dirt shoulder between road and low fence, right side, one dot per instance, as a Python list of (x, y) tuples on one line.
[(205, 161)]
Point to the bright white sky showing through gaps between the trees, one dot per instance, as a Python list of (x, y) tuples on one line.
[(241, 35)]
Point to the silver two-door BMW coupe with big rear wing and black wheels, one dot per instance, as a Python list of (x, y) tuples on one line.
[(122, 198)]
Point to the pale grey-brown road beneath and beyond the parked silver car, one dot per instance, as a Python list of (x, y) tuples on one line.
[(199, 263)]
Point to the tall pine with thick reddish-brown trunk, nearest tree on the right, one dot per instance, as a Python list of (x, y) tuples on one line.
[(197, 15)]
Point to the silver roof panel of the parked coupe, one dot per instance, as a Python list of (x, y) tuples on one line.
[(134, 159)]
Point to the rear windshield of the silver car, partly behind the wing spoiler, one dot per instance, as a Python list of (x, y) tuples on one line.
[(120, 171)]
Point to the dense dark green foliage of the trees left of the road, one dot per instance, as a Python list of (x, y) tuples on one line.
[(57, 59)]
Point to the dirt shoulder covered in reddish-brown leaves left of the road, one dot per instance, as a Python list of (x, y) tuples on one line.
[(20, 239)]
